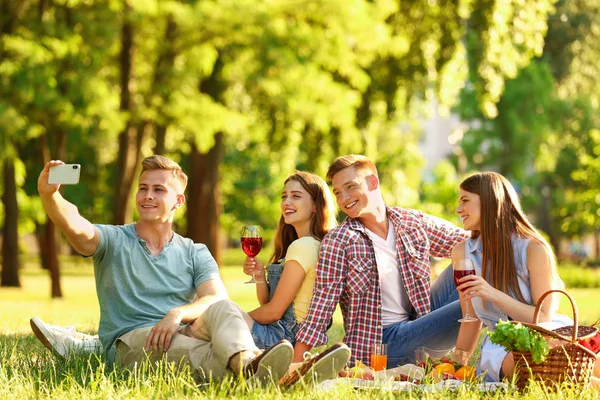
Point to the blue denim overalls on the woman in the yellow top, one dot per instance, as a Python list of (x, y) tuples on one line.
[(286, 328)]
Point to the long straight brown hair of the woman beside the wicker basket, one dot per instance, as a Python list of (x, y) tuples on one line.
[(501, 217)]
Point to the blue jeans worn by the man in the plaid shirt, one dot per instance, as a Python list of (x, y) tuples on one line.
[(436, 330)]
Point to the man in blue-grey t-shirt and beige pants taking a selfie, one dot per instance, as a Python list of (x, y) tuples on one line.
[(152, 284)]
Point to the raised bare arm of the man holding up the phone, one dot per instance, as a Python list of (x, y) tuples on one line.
[(79, 231)]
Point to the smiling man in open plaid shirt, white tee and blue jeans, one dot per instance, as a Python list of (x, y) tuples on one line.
[(376, 266)]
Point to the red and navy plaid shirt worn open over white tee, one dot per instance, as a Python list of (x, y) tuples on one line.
[(347, 274)]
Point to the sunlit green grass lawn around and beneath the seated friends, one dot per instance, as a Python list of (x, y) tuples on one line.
[(28, 370)]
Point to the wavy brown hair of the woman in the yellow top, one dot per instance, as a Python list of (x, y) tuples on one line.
[(322, 220)]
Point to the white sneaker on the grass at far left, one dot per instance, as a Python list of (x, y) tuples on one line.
[(64, 340)]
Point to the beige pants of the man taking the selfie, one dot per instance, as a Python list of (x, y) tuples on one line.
[(218, 334)]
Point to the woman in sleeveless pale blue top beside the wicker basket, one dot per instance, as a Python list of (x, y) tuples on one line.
[(502, 288)]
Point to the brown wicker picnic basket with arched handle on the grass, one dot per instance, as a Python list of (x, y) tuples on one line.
[(568, 361)]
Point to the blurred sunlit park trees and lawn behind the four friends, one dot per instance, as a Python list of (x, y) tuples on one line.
[(243, 92)]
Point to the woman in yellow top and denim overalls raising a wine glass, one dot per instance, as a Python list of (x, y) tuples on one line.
[(307, 214)]
